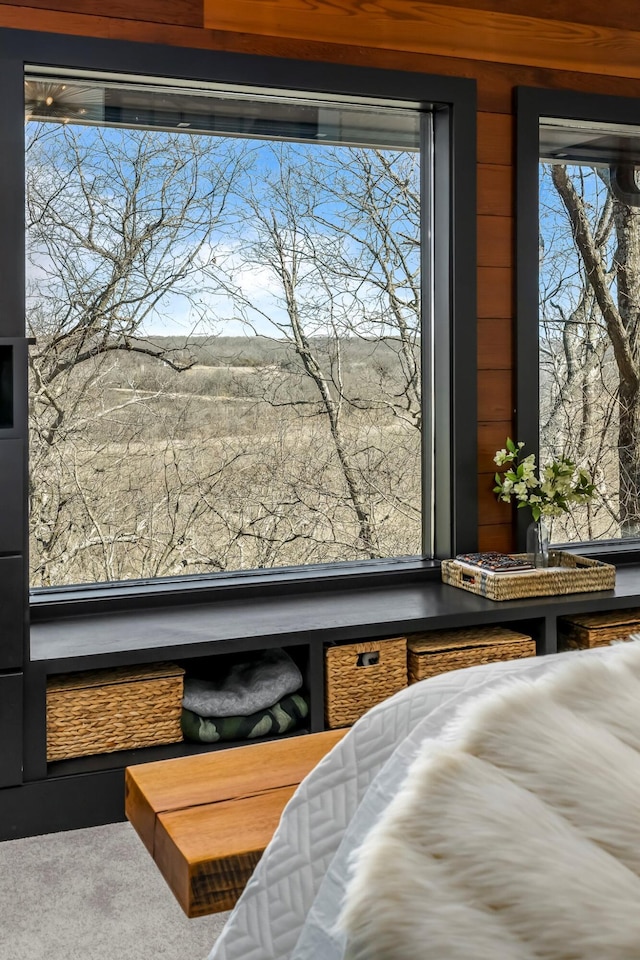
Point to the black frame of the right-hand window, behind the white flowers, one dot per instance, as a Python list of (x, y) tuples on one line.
[(533, 103)]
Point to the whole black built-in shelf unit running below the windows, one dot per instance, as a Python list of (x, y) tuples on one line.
[(89, 790)]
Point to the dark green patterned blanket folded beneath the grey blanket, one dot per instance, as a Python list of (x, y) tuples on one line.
[(283, 716)]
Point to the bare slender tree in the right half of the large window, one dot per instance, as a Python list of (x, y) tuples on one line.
[(337, 232)]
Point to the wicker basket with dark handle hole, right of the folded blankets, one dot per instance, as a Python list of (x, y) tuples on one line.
[(352, 686)]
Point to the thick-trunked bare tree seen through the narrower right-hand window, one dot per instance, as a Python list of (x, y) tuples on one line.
[(608, 245)]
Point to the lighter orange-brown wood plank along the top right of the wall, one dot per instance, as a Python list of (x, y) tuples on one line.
[(444, 30)]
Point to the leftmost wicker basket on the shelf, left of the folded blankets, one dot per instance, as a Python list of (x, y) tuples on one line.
[(100, 711)]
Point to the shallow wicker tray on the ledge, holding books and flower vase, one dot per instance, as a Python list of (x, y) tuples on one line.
[(568, 574)]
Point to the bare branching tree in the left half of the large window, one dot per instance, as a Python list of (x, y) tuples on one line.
[(120, 228)]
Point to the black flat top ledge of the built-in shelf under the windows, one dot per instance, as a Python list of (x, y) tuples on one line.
[(139, 636)]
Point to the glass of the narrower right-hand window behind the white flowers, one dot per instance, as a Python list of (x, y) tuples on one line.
[(590, 318)]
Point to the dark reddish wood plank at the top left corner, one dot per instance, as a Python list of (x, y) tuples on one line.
[(186, 13)]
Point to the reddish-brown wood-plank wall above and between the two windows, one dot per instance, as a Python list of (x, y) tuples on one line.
[(582, 46)]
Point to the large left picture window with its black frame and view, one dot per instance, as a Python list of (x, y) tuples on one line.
[(248, 289)]
